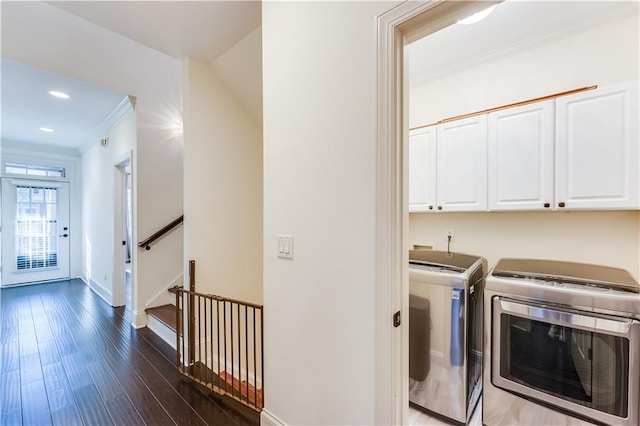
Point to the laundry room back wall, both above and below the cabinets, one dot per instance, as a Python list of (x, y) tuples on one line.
[(601, 55)]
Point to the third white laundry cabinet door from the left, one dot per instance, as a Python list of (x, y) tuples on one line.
[(521, 157)]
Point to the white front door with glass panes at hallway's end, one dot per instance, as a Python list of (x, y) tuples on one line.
[(35, 231)]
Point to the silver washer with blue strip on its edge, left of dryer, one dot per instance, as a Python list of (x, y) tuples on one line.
[(445, 332)]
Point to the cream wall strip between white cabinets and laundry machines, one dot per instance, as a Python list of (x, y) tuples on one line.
[(606, 238)]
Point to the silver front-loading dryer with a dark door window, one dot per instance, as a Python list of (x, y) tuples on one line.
[(562, 344)]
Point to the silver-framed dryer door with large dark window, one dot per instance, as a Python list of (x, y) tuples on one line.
[(572, 360)]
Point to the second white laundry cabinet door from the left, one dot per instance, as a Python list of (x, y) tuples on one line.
[(462, 165)]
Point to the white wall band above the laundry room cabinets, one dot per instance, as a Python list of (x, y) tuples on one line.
[(603, 55)]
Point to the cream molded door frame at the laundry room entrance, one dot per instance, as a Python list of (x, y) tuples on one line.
[(405, 23)]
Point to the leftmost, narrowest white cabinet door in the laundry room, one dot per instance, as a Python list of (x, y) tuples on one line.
[(422, 169)]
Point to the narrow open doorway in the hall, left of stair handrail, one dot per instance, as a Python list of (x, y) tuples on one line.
[(123, 235)]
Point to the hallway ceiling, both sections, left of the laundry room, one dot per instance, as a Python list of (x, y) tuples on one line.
[(204, 30)]
